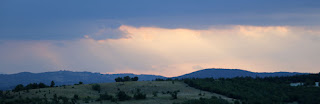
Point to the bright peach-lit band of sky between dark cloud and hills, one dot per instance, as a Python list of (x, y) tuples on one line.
[(171, 52)]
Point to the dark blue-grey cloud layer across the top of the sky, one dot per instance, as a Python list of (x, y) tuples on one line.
[(65, 20)]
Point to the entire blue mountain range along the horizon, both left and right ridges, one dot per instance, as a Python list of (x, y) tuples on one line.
[(9, 81)]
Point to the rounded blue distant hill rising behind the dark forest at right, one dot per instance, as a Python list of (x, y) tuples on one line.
[(230, 73)]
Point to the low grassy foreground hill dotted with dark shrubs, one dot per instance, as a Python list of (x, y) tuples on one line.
[(157, 92)]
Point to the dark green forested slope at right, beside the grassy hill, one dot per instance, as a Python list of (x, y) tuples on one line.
[(268, 90)]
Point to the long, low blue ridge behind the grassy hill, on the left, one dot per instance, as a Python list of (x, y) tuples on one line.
[(9, 81)]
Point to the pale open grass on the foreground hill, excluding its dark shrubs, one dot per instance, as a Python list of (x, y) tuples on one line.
[(147, 87)]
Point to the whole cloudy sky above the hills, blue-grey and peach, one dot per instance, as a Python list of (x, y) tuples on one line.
[(164, 37)]
